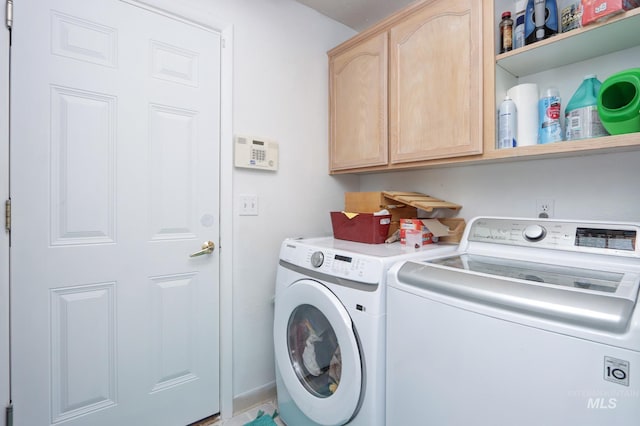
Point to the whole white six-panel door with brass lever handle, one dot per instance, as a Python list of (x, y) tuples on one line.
[(114, 181)]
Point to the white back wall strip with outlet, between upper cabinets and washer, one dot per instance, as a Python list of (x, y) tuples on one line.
[(603, 187)]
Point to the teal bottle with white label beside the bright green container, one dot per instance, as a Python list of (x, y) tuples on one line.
[(581, 117)]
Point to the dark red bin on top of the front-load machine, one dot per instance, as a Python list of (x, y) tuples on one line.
[(360, 227)]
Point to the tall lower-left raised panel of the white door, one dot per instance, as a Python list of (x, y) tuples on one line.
[(83, 340)]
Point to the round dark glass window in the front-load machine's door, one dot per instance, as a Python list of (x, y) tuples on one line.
[(314, 351)]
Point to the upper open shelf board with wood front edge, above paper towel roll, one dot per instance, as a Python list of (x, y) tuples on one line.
[(618, 33)]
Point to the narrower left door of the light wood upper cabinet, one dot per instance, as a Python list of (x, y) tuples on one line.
[(358, 105)]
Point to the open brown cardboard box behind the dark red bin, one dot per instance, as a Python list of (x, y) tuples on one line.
[(371, 202)]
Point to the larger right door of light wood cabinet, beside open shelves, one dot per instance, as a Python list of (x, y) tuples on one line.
[(436, 82)]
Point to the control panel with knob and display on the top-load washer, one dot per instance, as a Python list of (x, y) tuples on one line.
[(594, 237)]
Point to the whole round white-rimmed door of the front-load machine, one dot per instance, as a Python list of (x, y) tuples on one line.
[(317, 353)]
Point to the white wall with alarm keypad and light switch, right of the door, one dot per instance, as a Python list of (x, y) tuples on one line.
[(281, 93)]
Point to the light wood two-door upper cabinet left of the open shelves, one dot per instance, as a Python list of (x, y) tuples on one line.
[(409, 90)]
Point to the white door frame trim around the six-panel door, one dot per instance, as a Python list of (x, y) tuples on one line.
[(225, 168)]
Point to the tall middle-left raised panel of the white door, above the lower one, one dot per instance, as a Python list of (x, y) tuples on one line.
[(82, 167)]
